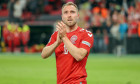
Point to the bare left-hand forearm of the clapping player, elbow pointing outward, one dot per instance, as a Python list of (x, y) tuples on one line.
[(48, 50)]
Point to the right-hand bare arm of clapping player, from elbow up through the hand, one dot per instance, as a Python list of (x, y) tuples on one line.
[(77, 53)]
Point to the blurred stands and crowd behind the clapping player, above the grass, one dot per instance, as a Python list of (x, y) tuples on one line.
[(26, 25)]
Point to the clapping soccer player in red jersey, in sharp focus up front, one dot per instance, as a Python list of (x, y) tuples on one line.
[(71, 45)]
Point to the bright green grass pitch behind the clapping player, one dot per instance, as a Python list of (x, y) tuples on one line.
[(101, 68)]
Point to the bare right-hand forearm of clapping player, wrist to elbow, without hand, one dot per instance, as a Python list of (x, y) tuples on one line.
[(77, 53)]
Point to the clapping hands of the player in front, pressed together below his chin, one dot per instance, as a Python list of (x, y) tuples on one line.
[(61, 27)]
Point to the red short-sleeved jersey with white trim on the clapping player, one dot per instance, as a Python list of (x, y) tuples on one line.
[(70, 71)]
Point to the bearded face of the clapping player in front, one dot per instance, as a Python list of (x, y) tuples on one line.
[(69, 15)]
